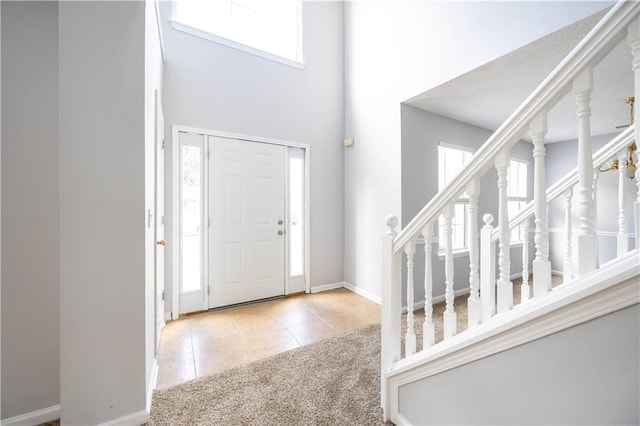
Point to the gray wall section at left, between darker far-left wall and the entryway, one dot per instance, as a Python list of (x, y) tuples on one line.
[(102, 211)]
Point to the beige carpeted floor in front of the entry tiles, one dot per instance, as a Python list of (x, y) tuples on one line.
[(335, 381)]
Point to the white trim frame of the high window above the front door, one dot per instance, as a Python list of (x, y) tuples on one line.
[(206, 35)]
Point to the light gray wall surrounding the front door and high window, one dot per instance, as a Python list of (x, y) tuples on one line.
[(212, 86)]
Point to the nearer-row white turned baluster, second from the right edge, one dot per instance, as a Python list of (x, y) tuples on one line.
[(587, 240)]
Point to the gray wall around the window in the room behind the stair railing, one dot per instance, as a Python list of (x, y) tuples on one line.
[(421, 133)]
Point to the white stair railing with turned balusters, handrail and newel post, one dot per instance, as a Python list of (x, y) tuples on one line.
[(574, 75)]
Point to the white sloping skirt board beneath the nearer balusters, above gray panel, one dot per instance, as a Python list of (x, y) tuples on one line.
[(566, 306)]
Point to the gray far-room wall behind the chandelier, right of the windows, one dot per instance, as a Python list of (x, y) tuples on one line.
[(607, 202)]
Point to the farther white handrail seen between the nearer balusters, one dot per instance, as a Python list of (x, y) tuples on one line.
[(621, 141)]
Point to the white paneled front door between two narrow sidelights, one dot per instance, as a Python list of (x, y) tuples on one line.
[(247, 210)]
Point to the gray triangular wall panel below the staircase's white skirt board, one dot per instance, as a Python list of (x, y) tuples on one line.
[(587, 374)]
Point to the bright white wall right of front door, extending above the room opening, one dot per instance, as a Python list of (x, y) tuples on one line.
[(396, 50)]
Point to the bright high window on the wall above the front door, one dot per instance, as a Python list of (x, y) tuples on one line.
[(268, 28)]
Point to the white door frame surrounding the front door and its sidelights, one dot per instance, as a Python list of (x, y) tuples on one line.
[(175, 205)]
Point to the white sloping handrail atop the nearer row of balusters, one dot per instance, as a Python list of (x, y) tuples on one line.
[(608, 32)]
